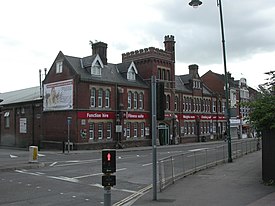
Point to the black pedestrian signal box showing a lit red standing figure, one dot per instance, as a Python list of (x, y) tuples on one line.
[(108, 161)]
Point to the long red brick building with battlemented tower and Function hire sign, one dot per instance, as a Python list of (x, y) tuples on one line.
[(97, 104)]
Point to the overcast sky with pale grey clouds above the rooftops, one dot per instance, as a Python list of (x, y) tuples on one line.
[(34, 31)]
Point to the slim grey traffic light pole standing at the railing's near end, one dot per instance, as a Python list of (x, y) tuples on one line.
[(154, 145)]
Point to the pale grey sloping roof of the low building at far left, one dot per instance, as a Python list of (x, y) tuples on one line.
[(19, 96)]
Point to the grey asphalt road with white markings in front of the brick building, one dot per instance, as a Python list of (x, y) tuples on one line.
[(75, 178)]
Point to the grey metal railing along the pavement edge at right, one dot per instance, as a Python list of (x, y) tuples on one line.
[(178, 166)]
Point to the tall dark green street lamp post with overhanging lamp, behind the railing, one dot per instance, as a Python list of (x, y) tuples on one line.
[(196, 3)]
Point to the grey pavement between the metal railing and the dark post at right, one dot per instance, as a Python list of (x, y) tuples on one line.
[(238, 183)]
